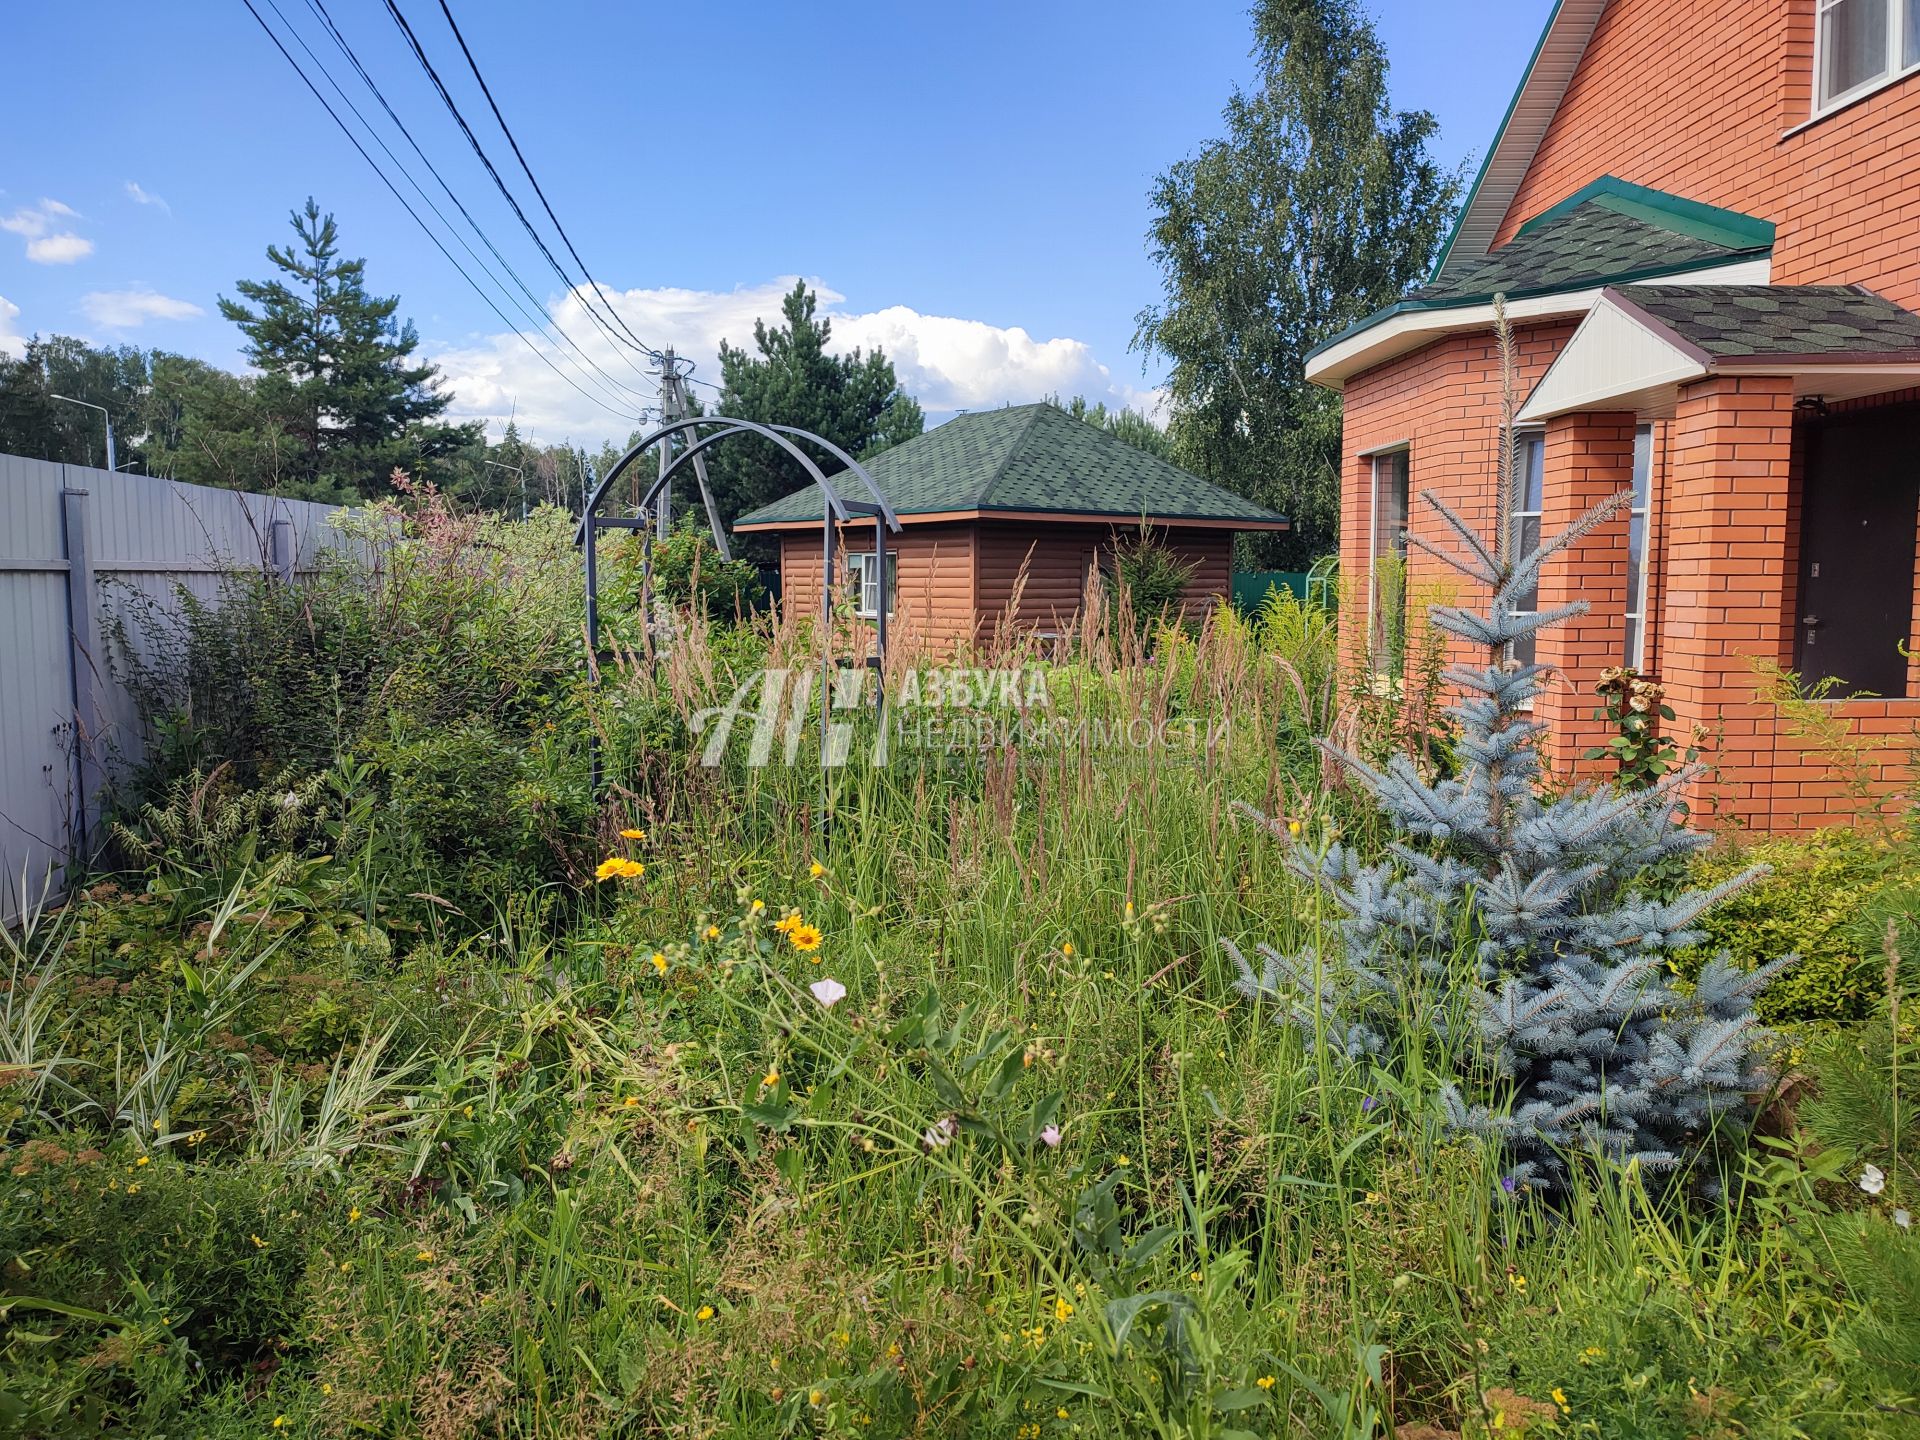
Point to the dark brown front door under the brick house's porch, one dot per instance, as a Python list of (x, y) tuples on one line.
[(1858, 550)]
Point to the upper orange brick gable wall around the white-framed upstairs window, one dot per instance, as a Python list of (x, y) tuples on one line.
[(1704, 101)]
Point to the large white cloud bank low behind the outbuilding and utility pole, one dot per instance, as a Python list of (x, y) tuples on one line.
[(948, 364)]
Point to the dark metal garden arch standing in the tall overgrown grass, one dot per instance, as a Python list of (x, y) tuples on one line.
[(838, 510)]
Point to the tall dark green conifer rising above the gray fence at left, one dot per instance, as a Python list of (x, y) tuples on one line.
[(337, 370)]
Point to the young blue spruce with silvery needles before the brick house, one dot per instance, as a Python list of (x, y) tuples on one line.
[(1575, 1040)]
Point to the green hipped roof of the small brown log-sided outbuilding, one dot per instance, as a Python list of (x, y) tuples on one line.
[(1024, 458)]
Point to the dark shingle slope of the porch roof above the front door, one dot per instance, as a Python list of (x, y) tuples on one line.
[(1729, 322)]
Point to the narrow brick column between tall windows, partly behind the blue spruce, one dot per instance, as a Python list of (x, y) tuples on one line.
[(1589, 458)]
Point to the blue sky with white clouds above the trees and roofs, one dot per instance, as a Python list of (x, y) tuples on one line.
[(967, 185)]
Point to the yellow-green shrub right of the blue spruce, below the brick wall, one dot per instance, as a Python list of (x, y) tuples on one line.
[(1817, 903)]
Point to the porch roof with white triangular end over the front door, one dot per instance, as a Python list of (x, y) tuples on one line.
[(1641, 345)]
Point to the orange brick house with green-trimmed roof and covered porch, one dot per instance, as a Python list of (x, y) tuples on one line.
[(1706, 226)]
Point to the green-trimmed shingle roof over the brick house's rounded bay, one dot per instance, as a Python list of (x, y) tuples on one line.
[(1608, 233)]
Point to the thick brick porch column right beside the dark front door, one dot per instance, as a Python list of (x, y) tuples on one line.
[(1727, 575)]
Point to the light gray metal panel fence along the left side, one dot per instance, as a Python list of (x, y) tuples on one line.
[(78, 546)]
